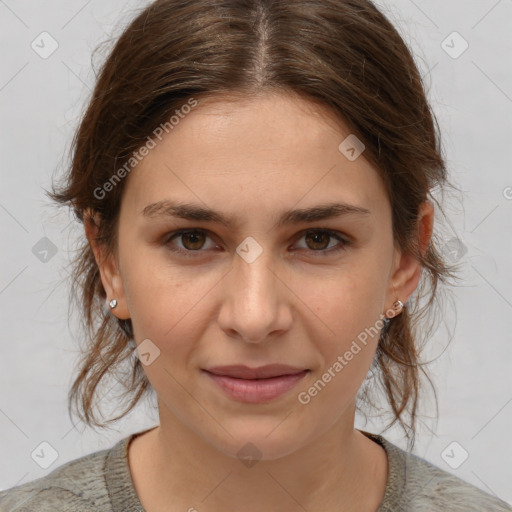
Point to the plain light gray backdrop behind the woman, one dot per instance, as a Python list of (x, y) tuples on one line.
[(41, 100)]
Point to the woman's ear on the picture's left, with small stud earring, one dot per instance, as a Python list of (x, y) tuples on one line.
[(108, 267)]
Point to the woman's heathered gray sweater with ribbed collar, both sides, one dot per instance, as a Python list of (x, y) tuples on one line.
[(101, 482)]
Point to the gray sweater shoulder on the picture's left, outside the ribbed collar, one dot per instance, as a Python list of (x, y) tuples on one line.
[(76, 486)]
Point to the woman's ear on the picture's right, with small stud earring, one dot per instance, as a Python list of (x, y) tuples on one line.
[(406, 268)]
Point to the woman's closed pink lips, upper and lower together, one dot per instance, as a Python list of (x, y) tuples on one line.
[(263, 384)]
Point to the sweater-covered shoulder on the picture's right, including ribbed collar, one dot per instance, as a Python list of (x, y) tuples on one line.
[(417, 485)]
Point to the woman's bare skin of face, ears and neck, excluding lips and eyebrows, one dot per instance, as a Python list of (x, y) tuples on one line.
[(252, 159)]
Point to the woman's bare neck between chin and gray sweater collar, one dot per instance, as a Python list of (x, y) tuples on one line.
[(341, 470)]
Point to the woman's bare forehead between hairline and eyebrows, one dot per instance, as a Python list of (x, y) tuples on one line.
[(254, 155)]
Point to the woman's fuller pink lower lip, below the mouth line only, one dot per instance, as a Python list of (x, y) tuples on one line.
[(256, 391)]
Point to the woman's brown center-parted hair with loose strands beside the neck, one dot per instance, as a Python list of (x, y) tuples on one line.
[(344, 54)]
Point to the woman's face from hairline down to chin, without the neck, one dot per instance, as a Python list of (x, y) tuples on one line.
[(265, 287)]
